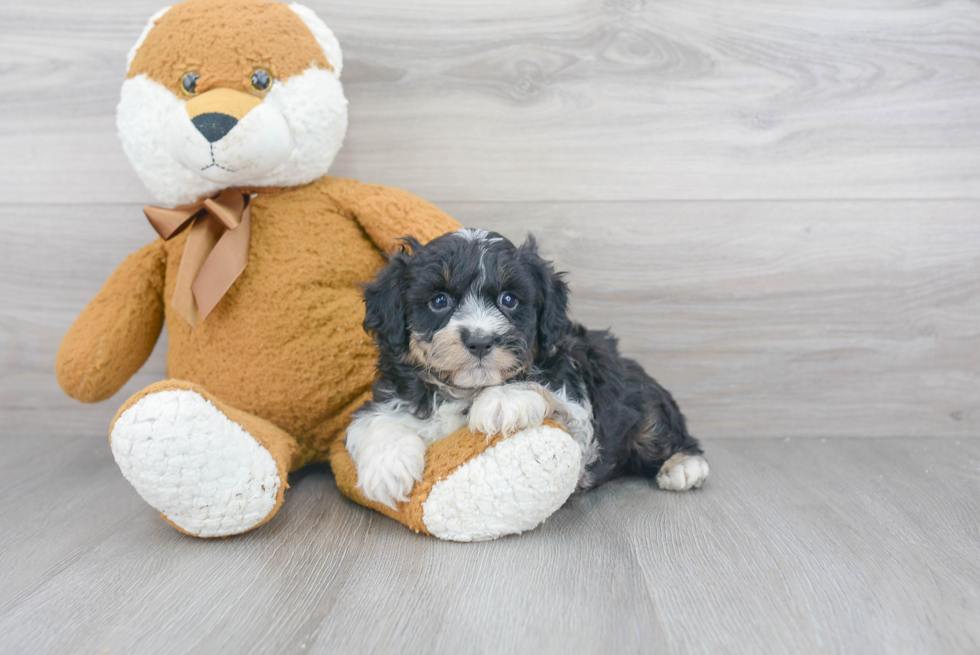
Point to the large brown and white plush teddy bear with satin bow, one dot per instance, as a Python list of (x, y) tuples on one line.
[(231, 113)]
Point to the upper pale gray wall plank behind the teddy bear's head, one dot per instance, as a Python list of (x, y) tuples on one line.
[(560, 99)]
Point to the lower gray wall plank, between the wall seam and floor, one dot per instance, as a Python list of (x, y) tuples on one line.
[(810, 319)]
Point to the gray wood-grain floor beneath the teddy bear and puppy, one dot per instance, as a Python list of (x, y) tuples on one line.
[(803, 546)]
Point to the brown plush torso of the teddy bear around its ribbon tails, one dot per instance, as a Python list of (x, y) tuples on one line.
[(286, 342)]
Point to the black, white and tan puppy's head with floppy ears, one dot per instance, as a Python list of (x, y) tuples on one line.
[(469, 307)]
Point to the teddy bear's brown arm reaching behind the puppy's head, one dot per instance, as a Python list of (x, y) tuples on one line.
[(388, 214)]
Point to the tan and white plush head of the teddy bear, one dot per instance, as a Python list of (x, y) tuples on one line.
[(231, 93)]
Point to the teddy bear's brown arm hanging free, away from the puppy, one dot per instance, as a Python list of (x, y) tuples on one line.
[(115, 333)]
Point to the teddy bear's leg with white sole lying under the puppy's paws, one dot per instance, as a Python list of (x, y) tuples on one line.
[(474, 489)]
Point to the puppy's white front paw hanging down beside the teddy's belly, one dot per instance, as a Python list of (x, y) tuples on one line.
[(388, 454)]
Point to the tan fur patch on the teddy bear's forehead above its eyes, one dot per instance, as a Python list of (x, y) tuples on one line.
[(225, 41)]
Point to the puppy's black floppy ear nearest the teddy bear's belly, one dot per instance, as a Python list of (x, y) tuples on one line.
[(384, 307)]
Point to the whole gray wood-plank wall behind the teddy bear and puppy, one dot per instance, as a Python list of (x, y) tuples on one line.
[(774, 204)]
